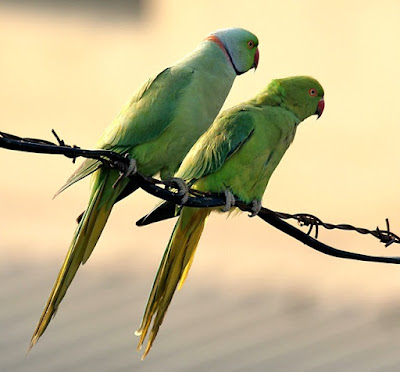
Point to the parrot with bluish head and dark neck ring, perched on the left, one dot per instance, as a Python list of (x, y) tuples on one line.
[(156, 128)]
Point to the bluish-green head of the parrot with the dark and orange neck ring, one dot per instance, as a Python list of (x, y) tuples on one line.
[(240, 46)]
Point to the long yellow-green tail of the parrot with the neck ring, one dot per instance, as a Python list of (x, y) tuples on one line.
[(85, 238)]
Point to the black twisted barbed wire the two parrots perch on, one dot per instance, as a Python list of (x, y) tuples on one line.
[(201, 200)]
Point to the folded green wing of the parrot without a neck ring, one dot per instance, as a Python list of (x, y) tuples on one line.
[(230, 131)]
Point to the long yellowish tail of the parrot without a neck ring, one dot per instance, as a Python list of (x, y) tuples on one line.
[(173, 270)]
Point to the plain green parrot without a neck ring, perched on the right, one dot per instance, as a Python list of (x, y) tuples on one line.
[(236, 156)]
